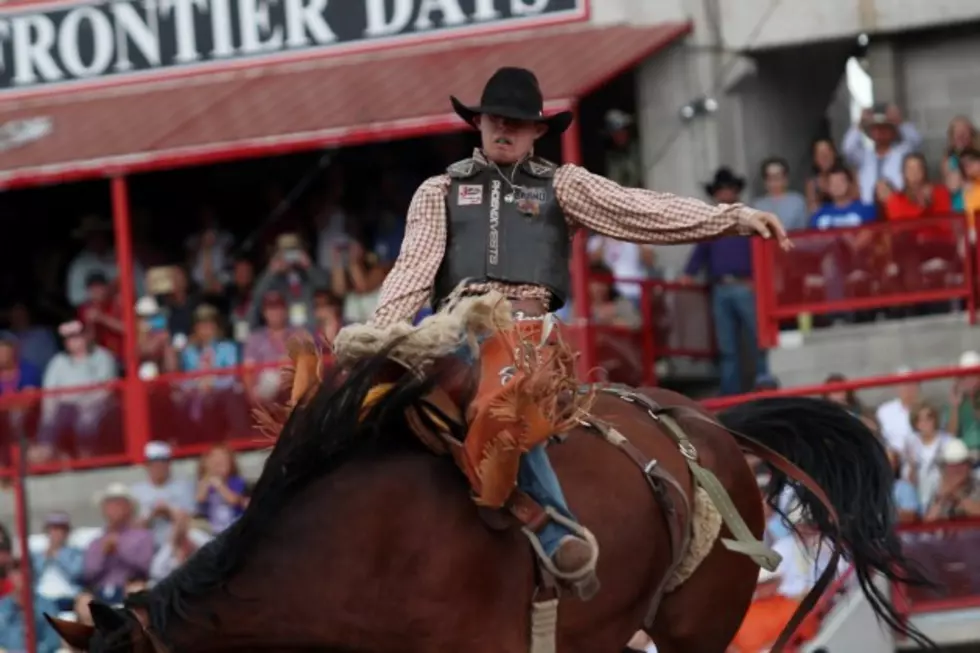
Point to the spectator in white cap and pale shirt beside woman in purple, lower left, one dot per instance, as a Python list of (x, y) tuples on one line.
[(163, 497)]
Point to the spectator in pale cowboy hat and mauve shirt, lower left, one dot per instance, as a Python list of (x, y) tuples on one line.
[(121, 554)]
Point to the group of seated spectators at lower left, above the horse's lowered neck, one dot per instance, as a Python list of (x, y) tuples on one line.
[(149, 529)]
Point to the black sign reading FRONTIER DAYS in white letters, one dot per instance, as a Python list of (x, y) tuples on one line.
[(92, 39)]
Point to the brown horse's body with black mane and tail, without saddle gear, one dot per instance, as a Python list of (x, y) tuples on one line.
[(357, 539)]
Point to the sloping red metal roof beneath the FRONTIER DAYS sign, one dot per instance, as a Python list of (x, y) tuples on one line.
[(227, 115)]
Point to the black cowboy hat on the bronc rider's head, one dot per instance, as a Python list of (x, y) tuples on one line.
[(513, 93)]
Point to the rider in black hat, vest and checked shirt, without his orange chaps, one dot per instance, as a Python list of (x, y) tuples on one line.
[(503, 220)]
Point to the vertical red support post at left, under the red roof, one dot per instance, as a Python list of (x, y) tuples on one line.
[(135, 402)]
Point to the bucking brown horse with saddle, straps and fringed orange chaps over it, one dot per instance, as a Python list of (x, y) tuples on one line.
[(363, 536)]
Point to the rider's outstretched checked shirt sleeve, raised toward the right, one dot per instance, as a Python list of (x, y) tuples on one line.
[(644, 216)]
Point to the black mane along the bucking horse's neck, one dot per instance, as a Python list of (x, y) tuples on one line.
[(328, 426)]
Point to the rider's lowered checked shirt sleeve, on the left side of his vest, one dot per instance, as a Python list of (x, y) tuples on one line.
[(409, 284)]
